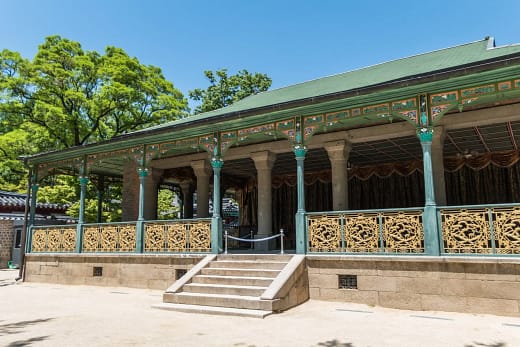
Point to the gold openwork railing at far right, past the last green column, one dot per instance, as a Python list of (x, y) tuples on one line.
[(483, 230)]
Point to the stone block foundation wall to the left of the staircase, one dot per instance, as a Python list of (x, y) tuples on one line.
[(135, 271)]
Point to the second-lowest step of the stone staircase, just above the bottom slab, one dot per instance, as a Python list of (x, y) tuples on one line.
[(220, 300)]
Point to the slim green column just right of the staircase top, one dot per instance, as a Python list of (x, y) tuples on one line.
[(301, 234)]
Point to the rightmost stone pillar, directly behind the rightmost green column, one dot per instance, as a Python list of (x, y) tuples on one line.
[(438, 165)]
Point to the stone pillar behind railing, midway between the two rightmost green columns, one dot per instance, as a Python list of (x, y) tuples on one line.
[(338, 152)]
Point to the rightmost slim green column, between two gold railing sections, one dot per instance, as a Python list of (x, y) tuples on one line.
[(431, 235)]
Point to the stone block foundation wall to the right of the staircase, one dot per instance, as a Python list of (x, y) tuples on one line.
[(461, 284)]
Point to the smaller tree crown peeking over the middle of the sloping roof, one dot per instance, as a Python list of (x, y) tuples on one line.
[(225, 90)]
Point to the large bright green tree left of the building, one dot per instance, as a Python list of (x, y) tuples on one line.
[(79, 97)]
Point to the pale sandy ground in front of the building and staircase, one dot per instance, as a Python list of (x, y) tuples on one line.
[(34, 314)]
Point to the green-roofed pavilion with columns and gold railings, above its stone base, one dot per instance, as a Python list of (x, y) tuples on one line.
[(416, 156)]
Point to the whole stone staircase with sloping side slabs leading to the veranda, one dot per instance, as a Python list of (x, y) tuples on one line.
[(244, 285)]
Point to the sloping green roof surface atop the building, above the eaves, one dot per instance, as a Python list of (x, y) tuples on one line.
[(400, 69)]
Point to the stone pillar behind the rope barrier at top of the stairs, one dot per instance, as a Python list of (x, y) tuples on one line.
[(264, 162)]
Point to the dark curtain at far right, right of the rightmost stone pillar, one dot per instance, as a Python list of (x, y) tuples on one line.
[(489, 185)]
